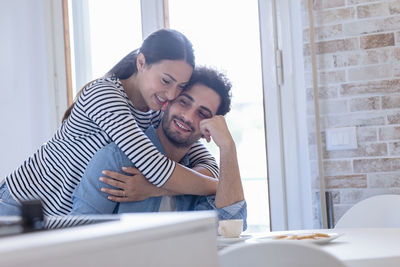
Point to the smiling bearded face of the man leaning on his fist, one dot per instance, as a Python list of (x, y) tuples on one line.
[(183, 115)]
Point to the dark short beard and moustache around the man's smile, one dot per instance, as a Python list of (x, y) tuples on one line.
[(175, 137)]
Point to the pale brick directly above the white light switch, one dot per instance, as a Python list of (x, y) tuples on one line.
[(355, 119)]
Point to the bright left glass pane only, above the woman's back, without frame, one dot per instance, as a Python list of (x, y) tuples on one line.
[(115, 30)]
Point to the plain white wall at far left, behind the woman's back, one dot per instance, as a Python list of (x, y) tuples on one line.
[(27, 99)]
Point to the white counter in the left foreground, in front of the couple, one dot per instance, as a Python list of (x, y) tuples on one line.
[(140, 239)]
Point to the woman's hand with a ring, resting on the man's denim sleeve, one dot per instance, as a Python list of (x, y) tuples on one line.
[(134, 187)]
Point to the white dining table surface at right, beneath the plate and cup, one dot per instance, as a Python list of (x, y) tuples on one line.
[(357, 247)]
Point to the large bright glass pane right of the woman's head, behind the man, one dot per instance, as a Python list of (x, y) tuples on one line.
[(225, 35)]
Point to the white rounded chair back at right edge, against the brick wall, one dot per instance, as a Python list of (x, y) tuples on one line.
[(376, 211)]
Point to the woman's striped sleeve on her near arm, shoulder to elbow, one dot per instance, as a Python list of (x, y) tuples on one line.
[(109, 110)]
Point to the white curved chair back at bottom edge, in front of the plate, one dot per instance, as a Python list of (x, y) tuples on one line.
[(277, 254)]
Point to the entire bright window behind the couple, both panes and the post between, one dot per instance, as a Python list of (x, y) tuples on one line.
[(228, 39)]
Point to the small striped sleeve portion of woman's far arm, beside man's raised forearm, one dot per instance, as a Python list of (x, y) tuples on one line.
[(200, 156)]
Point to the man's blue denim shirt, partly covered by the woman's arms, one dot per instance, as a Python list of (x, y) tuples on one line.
[(88, 198)]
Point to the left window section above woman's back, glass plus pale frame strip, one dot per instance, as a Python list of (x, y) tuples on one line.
[(102, 33)]
